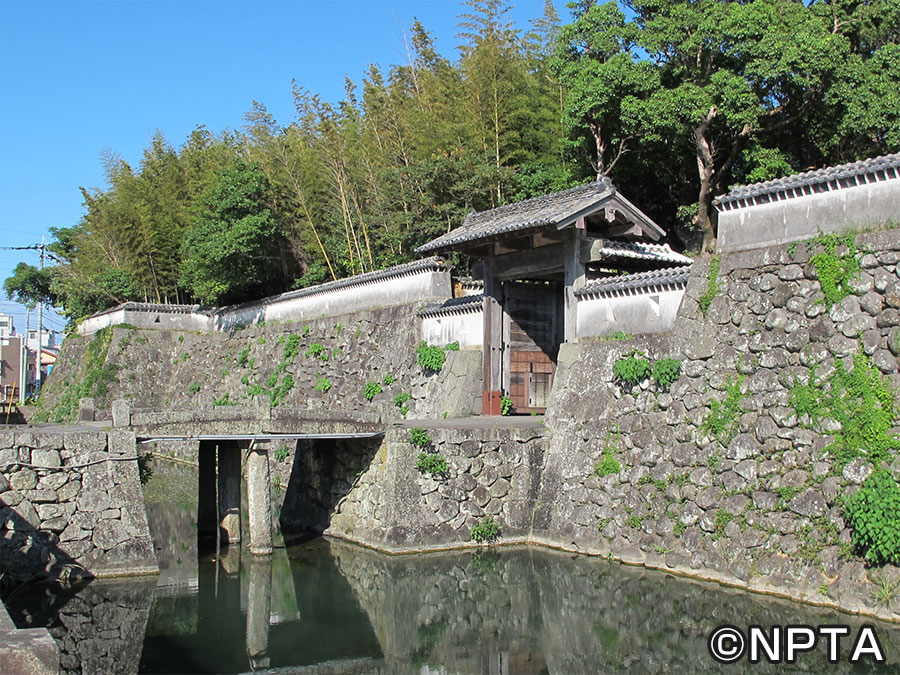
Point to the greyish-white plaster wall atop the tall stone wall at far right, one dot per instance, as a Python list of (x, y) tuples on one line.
[(801, 218)]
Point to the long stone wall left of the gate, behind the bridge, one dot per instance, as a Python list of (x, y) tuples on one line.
[(333, 360)]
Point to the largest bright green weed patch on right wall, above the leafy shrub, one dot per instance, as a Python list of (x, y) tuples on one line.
[(861, 400)]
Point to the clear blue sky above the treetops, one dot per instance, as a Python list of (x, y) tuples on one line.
[(80, 77)]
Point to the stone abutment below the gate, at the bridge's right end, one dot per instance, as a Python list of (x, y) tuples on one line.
[(372, 493)]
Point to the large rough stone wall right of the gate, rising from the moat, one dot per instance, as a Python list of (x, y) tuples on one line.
[(761, 509)]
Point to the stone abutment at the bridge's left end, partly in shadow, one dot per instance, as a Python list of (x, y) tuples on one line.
[(71, 505)]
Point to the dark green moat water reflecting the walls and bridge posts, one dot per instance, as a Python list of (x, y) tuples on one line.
[(323, 606)]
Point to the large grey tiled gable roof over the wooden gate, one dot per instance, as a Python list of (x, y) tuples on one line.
[(530, 214)]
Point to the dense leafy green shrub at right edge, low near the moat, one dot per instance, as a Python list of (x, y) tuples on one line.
[(874, 514)]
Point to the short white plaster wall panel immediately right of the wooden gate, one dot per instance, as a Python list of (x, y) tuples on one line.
[(635, 314)]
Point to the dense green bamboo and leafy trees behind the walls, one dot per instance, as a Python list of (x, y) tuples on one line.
[(676, 101)]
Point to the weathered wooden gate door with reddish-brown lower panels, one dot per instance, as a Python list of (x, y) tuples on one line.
[(531, 341)]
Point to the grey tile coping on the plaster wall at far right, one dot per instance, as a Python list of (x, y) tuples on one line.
[(831, 178)]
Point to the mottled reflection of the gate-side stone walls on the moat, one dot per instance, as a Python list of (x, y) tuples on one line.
[(534, 608)]
